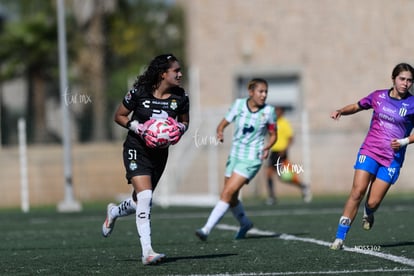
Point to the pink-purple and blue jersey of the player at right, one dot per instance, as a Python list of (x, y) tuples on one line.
[(391, 119)]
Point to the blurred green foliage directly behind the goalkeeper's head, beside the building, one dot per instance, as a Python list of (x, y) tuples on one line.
[(138, 31)]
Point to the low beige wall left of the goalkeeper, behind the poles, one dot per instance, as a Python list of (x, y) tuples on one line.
[(97, 174)]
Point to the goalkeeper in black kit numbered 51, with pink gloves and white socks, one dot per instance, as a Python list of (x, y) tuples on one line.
[(156, 94)]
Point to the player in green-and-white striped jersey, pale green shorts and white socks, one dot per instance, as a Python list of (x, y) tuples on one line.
[(253, 119)]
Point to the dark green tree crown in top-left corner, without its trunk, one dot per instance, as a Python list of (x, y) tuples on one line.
[(28, 39)]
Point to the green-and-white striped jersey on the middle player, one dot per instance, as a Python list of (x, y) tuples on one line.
[(250, 129)]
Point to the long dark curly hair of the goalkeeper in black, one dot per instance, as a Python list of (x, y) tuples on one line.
[(151, 78)]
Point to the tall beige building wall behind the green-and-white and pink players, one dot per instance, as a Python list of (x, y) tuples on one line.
[(340, 50)]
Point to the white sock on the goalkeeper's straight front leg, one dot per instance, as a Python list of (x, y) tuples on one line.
[(143, 220)]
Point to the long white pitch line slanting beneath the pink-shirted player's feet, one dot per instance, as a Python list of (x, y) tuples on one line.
[(255, 231)]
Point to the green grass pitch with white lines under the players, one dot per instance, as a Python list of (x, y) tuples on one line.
[(290, 238)]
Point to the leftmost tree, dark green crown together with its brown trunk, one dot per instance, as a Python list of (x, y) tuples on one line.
[(29, 52)]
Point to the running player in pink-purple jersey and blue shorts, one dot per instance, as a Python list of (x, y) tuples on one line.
[(381, 155)]
